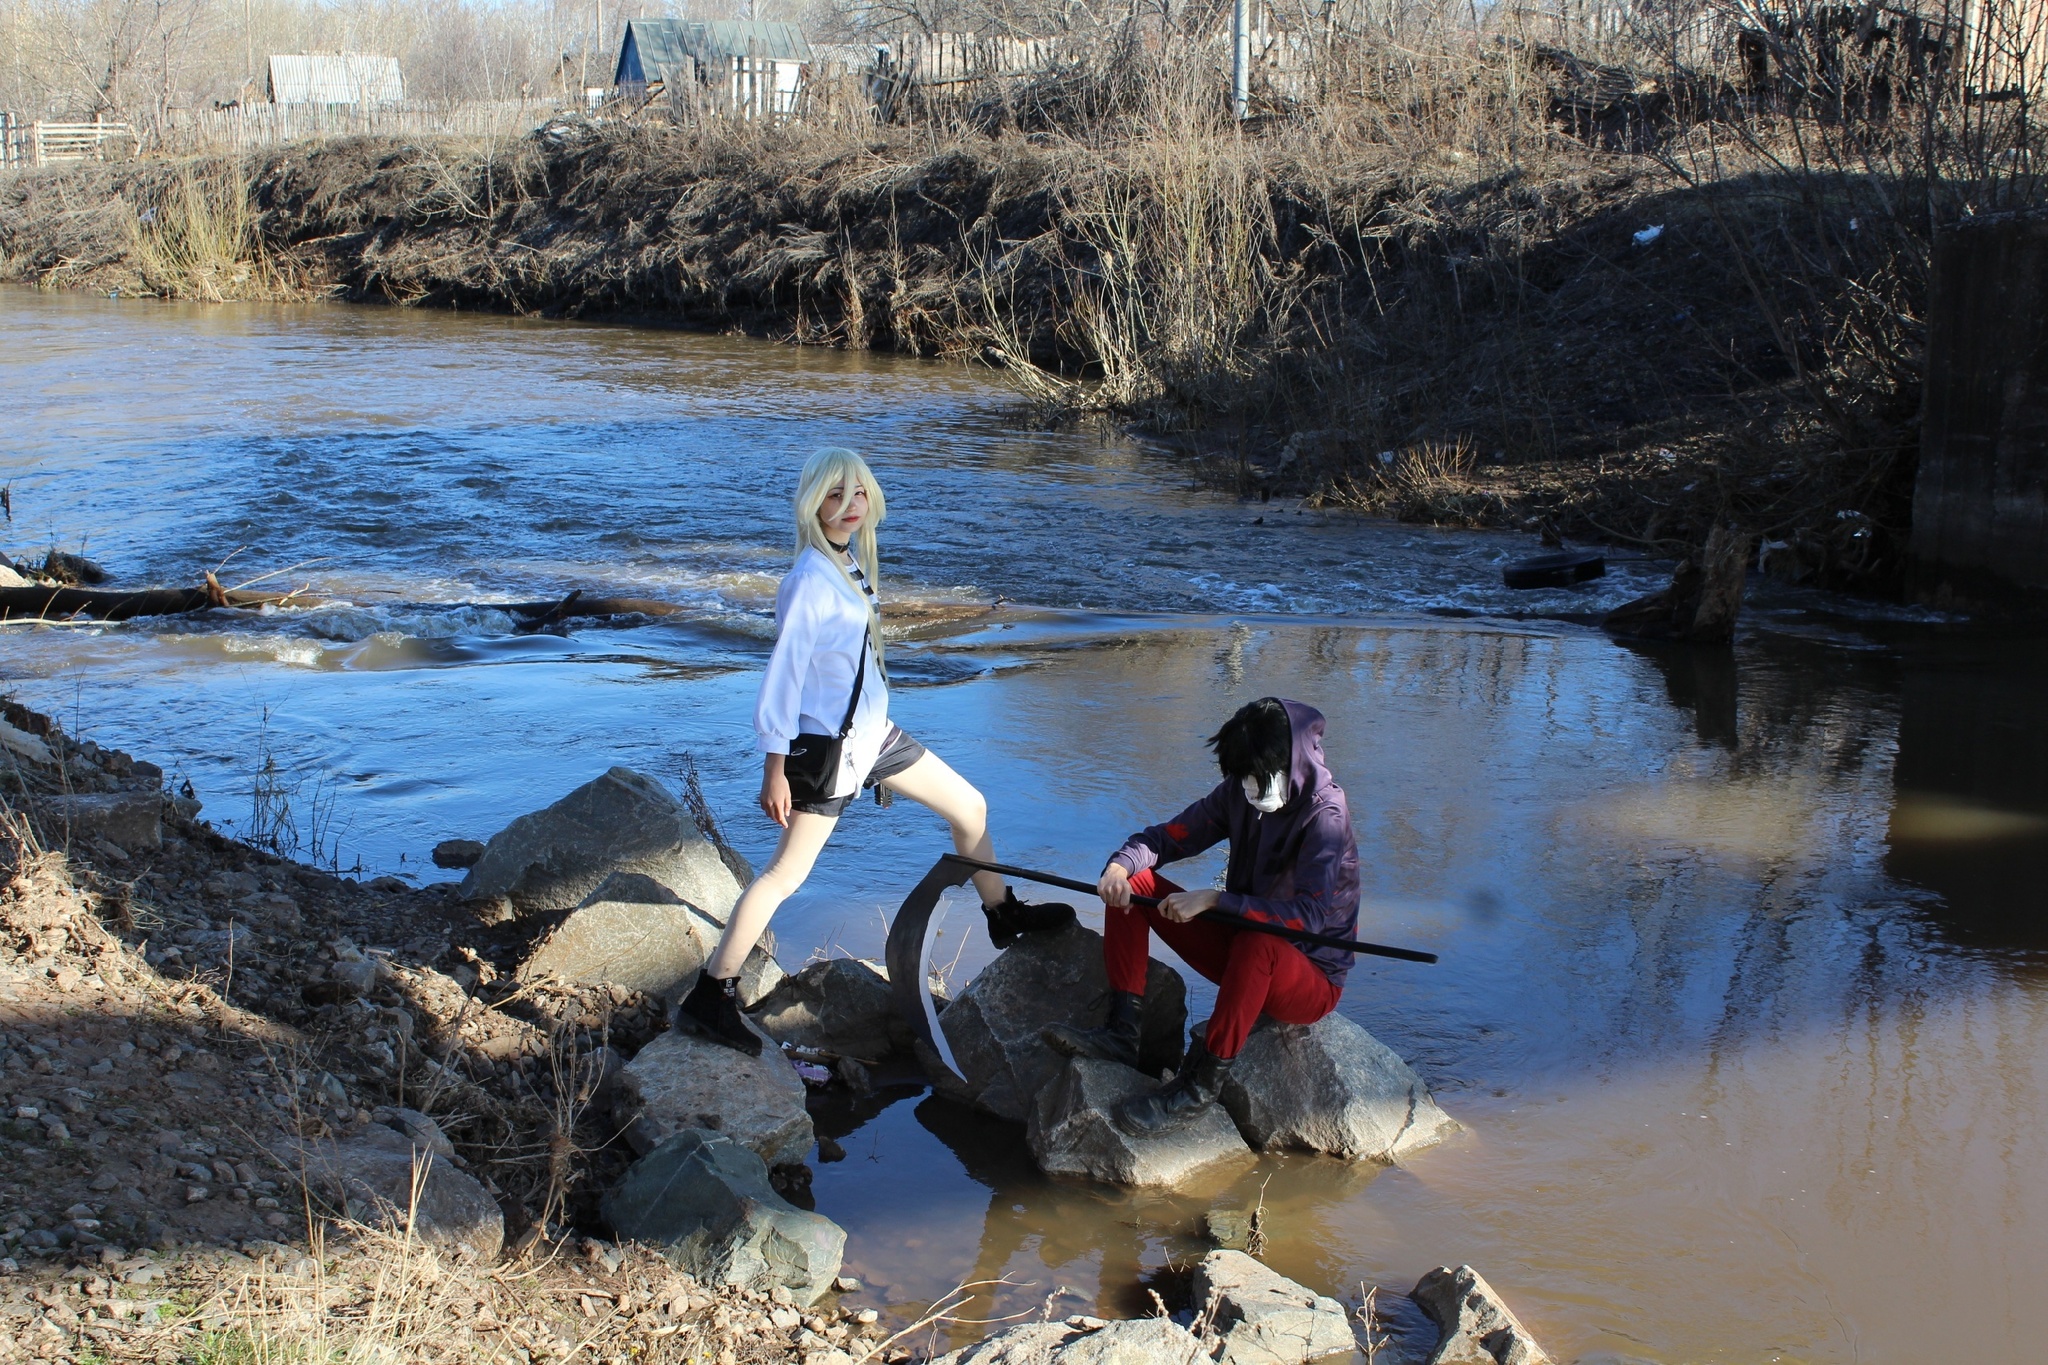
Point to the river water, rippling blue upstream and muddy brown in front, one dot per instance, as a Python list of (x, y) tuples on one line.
[(1746, 967)]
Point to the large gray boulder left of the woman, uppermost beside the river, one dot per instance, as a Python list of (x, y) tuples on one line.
[(624, 822)]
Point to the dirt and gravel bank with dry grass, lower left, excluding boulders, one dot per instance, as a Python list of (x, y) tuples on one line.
[(173, 1024)]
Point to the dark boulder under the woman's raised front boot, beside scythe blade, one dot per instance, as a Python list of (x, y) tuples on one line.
[(1046, 979)]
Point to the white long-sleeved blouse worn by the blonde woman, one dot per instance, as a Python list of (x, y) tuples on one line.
[(820, 625)]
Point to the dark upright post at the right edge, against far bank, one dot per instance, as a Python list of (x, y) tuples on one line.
[(1981, 494)]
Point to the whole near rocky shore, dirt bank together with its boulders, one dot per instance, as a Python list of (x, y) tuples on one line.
[(251, 1108)]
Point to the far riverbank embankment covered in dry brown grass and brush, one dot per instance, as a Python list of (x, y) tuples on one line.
[(1531, 335)]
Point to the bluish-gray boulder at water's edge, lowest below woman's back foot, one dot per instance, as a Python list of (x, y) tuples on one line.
[(708, 1202)]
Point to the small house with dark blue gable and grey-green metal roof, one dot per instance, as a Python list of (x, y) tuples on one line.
[(749, 67)]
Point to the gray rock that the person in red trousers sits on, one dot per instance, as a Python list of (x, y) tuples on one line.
[(1330, 1088)]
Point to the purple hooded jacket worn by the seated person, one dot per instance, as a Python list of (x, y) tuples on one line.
[(1295, 867)]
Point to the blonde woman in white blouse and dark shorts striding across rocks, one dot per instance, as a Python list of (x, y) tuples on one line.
[(828, 674)]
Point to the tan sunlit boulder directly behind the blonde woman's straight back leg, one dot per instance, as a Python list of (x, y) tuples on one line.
[(634, 932)]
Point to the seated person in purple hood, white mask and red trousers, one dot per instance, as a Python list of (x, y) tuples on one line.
[(1293, 863)]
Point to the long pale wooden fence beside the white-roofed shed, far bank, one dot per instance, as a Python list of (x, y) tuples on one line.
[(267, 126)]
